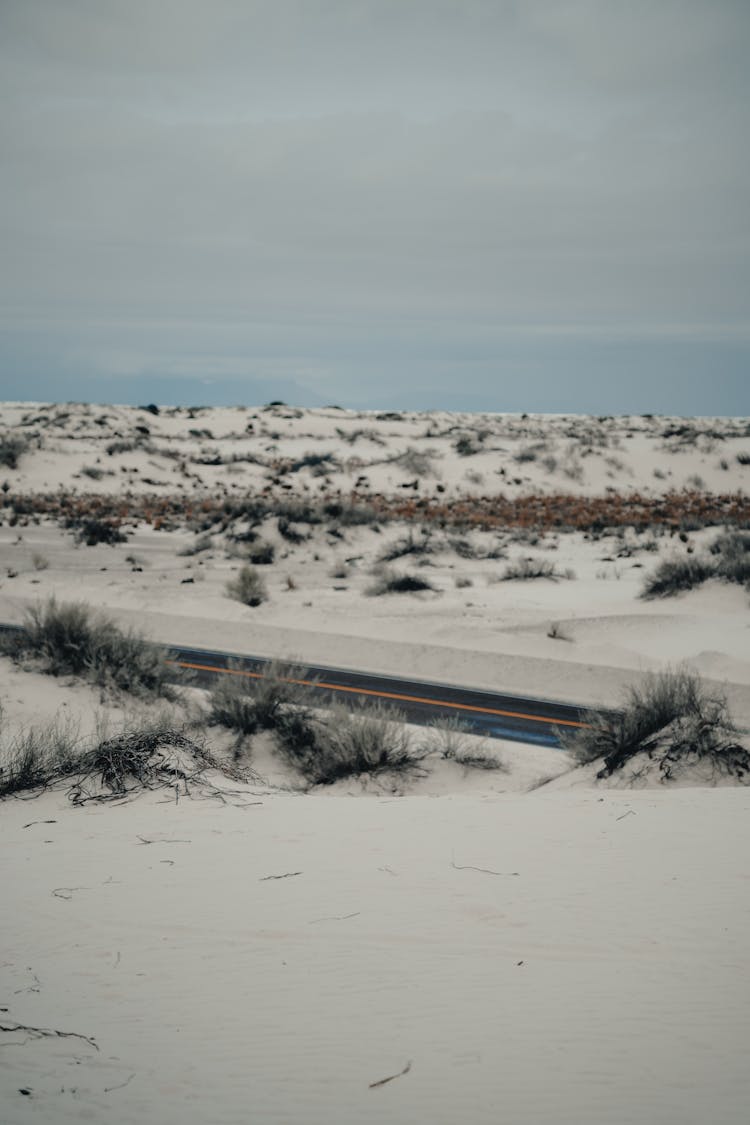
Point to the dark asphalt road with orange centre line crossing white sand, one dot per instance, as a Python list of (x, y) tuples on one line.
[(493, 715)]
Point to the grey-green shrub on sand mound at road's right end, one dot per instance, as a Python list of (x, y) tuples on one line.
[(671, 716)]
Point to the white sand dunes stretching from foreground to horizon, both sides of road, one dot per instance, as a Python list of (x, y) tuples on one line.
[(527, 944)]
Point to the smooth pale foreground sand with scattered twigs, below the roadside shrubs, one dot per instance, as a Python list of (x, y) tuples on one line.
[(593, 971)]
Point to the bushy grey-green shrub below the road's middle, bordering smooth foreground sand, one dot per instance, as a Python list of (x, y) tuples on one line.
[(341, 744)]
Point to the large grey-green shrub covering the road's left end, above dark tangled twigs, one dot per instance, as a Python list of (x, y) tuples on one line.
[(71, 640)]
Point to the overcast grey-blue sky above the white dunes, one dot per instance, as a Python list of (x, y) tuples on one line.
[(491, 205)]
